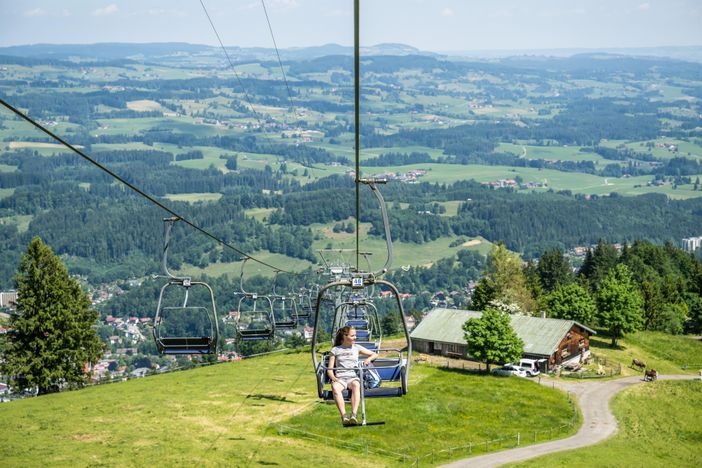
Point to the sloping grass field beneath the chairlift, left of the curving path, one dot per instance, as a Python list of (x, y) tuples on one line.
[(230, 415)]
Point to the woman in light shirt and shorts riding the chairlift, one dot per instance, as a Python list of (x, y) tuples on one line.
[(344, 357)]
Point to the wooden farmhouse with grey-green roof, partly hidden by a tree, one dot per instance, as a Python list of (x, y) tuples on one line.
[(557, 341)]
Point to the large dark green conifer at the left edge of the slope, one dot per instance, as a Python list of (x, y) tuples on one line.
[(51, 339)]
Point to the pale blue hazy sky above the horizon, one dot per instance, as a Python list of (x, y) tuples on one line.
[(432, 25)]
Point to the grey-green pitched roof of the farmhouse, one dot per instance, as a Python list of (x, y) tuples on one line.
[(540, 335)]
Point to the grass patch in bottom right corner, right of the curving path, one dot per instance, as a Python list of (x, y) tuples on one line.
[(659, 426)]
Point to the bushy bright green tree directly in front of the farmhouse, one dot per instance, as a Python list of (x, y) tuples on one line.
[(491, 338)]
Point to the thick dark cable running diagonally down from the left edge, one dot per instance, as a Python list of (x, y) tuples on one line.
[(133, 187)]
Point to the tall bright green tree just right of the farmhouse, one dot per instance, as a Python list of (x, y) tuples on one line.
[(619, 303)]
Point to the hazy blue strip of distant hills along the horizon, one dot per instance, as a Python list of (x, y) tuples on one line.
[(162, 51)]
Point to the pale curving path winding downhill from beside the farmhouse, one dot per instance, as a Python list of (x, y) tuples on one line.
[(598, 421)]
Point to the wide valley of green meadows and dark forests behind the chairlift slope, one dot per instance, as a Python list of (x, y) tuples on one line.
[(537, 154)]
